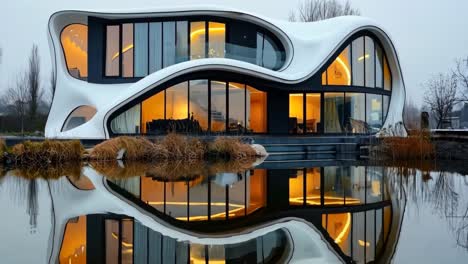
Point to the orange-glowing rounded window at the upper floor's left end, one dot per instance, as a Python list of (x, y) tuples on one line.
[(74, 39)]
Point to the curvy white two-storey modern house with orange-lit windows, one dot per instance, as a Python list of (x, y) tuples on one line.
[(206, 70)]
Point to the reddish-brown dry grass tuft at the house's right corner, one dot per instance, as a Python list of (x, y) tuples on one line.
[(417, 146)]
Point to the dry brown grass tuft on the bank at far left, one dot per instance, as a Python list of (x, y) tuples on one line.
[(38, 154)]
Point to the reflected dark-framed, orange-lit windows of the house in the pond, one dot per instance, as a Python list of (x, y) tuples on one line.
[(350, 206)]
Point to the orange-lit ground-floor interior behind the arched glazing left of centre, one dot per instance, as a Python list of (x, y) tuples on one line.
[(181, 109)]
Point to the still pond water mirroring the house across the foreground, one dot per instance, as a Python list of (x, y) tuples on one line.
[(199, 213)]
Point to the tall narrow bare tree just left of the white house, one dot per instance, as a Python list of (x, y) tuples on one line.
[(33, 80)]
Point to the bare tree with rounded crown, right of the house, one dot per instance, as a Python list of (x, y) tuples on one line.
[(441, 96)]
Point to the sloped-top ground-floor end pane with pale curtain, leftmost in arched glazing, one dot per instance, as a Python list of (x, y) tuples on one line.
[(128, 122)]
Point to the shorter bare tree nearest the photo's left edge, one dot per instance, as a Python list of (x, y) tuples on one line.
[(17, 96)]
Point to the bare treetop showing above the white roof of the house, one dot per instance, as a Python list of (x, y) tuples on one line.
[(314, 10)]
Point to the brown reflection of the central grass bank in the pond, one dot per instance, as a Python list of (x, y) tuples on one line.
[(170, 171)]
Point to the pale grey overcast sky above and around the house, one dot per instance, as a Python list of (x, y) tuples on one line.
[(428, 34)]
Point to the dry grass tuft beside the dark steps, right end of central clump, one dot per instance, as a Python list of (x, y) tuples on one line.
[(230, 148)]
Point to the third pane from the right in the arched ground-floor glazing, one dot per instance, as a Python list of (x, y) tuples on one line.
[(218, 106)]
